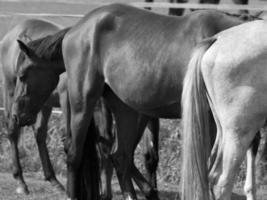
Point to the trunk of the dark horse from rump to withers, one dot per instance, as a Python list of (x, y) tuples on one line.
[(138, 53)]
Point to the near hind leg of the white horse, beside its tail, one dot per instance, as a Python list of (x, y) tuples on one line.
[(231, 152)]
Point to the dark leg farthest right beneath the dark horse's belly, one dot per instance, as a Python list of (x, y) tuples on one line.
[(151, 151)]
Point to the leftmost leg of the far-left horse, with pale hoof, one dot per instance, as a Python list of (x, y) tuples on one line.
[(13, 132)]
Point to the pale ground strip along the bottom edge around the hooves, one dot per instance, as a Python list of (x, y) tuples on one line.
[(41, 190)]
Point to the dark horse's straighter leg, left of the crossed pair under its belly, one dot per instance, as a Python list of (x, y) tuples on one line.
[(126, 123)]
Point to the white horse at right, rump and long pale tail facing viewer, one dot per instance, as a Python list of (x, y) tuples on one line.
[(226, 75)]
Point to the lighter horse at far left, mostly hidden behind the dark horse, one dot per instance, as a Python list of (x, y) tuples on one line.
[(28, 31)]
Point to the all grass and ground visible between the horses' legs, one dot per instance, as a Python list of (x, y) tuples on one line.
[(168, 171)]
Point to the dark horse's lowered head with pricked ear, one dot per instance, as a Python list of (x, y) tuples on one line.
[(36, 80)]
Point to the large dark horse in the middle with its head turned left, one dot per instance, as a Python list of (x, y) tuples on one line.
[(135, 59)]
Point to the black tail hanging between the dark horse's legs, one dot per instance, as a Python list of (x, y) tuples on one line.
[(89, 171)]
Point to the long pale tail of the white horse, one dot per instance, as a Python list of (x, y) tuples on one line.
[(195, 117)]
